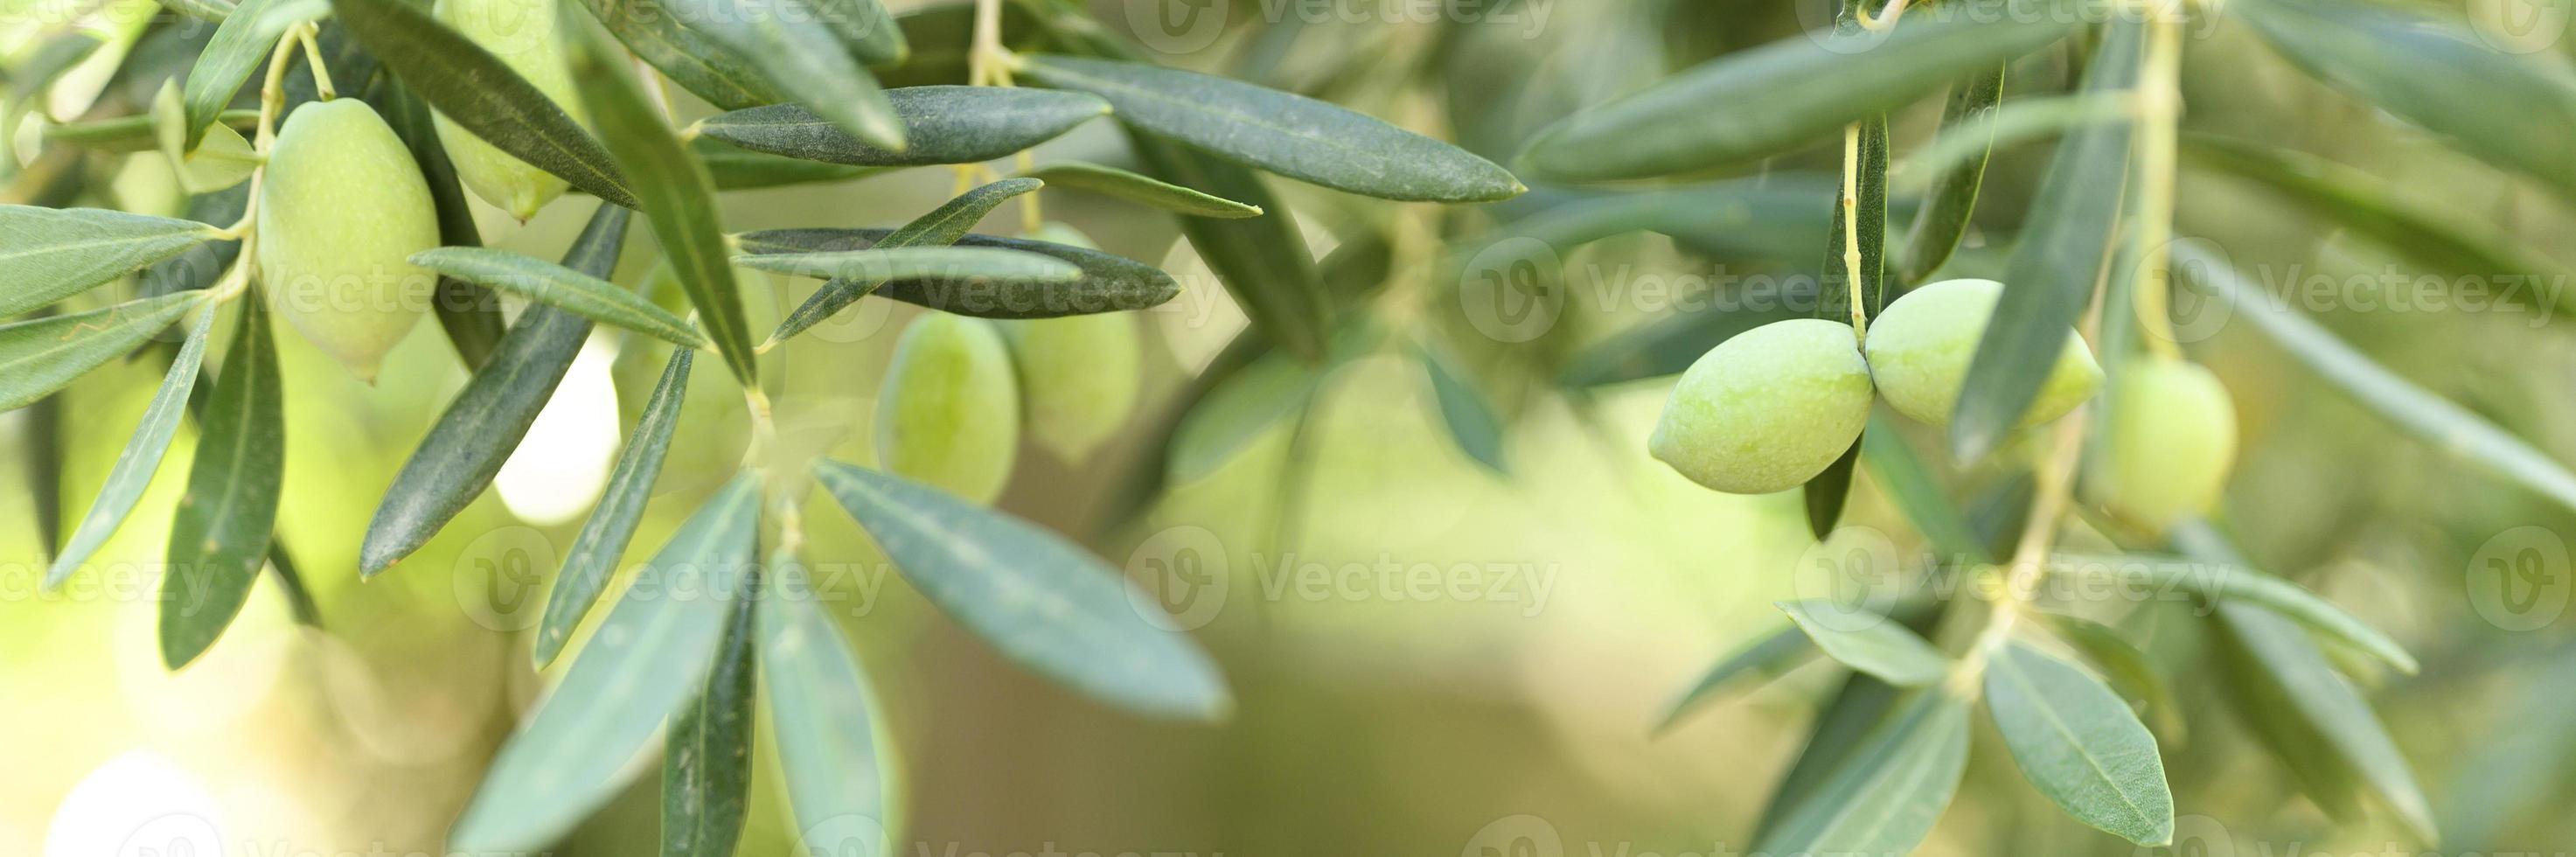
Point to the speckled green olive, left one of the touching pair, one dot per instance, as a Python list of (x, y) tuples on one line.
[(1766, 410)]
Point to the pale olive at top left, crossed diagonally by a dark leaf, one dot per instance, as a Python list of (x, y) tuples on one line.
[(524, 37)]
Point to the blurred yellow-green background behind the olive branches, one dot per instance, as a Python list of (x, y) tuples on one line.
[(1428, 658)]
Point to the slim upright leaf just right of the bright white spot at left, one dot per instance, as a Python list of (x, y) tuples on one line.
[(601, 544)]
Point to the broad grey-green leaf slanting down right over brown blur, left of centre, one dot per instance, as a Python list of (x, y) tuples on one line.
[(1034, 596)]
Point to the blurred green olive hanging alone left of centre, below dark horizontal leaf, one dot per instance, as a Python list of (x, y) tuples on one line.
[(949, 413)]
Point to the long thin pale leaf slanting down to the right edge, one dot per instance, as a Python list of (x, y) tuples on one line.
[(2410, 408)]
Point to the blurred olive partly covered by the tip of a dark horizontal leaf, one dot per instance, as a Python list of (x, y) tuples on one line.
[(1078, 374)]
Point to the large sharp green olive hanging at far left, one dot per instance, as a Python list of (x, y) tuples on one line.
[(341, 215)]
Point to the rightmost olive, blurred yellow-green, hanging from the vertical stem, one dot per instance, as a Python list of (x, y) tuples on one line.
[(2173, 441)]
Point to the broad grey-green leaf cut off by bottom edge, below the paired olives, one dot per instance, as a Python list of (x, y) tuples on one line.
[(1889, 791)]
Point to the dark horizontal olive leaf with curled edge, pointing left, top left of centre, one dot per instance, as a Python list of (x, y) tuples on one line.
[(942, 127)]
